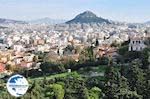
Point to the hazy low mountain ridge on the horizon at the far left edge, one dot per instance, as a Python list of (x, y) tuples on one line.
[(10, 21)]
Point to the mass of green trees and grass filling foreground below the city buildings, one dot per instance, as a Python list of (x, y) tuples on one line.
[(125, 82)]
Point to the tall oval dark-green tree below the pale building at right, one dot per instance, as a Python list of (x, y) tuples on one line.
[(136, 77)]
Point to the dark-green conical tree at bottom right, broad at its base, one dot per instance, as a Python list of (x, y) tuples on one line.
[(117, 86)]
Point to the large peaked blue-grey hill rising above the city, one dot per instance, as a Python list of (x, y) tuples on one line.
[(88, 17)]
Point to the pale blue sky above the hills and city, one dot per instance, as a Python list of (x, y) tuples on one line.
[(117, 10)]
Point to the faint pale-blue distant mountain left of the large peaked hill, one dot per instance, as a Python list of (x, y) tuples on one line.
[(47, 21)]
